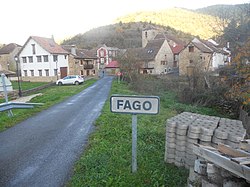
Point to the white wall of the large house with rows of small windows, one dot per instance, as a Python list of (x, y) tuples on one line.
[(51, 65)]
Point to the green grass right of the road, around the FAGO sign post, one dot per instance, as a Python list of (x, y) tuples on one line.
[(107, 160)]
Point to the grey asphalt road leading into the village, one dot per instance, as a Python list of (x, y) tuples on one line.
[(42, 150)]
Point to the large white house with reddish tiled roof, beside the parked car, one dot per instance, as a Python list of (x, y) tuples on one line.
[(42, 59)]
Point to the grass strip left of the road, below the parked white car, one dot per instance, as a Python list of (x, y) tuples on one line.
[(49, 97)]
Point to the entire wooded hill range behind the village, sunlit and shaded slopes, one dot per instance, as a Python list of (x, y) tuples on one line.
[(126, 32)]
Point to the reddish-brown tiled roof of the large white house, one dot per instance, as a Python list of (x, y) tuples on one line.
[(48, 44)]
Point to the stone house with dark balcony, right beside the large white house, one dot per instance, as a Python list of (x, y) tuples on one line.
[(82, 61)]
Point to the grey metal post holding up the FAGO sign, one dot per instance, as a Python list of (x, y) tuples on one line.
[(134, 143)]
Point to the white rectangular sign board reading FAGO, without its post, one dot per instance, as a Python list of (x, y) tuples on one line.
[(134, 104)]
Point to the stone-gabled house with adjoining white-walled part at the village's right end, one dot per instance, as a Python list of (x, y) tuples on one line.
[(201, 55)]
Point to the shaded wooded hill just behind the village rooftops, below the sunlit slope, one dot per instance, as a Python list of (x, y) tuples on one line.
[(121, 35)]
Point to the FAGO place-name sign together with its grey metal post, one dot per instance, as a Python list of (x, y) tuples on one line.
[(134, 105)]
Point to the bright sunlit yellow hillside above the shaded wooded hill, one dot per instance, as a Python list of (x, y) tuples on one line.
[(187, 21)]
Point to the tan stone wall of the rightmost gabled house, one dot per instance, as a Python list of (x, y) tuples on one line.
[(200, 60)]
